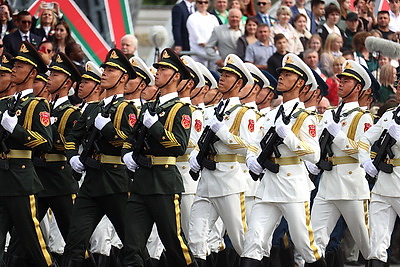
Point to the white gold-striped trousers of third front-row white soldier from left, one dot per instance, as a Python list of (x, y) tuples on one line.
[(325, 214)]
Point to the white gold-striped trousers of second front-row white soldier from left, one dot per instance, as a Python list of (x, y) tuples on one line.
[(264, 219)]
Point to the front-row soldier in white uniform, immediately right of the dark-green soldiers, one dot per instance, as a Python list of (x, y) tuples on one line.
[(220, 192)]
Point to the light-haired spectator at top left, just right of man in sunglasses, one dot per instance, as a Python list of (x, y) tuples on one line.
[(48, 20)]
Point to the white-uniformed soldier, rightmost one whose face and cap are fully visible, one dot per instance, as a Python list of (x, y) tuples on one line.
[(344, 189)]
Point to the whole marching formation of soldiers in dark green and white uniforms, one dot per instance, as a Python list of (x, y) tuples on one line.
[(177, 165)]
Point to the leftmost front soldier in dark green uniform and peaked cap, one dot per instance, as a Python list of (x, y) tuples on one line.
[(28, 131)]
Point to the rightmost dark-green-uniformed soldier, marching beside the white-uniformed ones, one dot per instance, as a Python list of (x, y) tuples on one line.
[(157, 184)]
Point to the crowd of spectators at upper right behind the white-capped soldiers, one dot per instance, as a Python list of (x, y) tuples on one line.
[(324, 35)]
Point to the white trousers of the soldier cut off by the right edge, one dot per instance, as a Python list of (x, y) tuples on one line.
[(383, 213)]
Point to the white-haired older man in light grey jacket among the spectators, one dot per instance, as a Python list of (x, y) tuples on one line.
[(224, 38)]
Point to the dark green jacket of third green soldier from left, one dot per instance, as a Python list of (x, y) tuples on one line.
[(110, 178)]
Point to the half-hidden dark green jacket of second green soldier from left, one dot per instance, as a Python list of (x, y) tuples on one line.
[(56, 176)]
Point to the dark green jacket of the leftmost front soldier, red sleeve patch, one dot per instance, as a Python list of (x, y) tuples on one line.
[(33, 132)]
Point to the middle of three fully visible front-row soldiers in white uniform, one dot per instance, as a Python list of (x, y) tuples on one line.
[(287, 192)]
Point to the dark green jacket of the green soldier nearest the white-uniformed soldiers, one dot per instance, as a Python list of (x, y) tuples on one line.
[(162, 141)]
